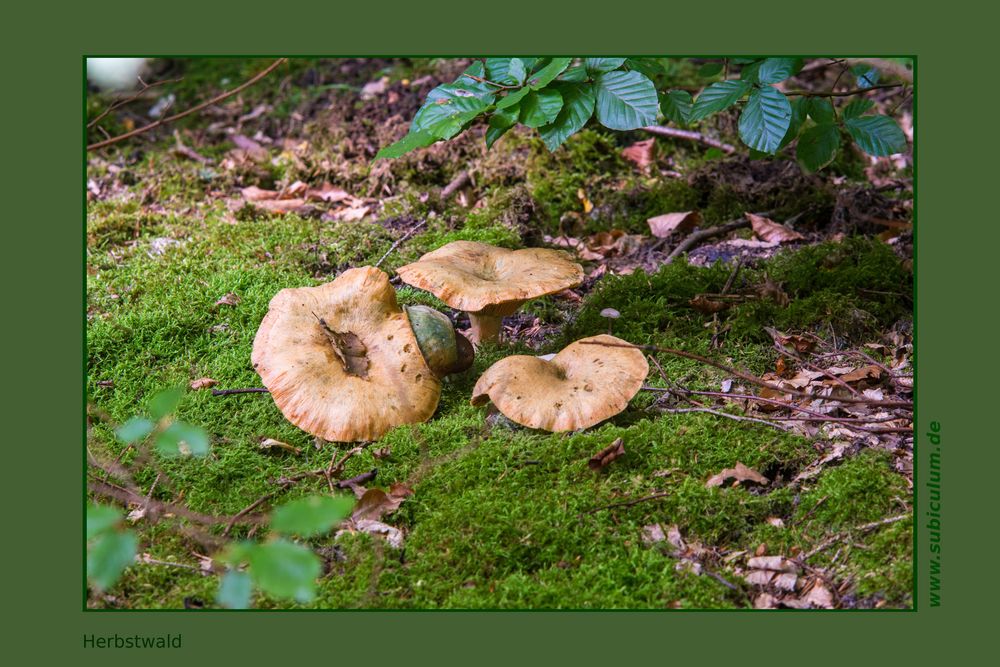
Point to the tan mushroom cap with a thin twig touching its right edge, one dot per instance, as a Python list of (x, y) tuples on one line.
[(581, 386)]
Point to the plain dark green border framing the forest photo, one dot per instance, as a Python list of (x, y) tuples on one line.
[(43, 251)]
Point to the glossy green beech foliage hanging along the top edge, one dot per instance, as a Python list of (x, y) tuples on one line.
[(558, 96)]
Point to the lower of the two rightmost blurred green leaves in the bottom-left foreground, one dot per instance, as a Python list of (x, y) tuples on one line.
[(284, 569)]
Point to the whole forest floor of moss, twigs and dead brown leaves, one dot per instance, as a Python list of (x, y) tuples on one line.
[(182, 262)]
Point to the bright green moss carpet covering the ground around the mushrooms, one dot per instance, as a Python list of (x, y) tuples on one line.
[(500, 517)]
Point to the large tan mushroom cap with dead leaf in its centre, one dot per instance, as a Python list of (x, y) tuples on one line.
[(294, 353)]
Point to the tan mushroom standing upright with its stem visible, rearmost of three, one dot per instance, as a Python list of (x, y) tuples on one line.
[(490, 283)]
